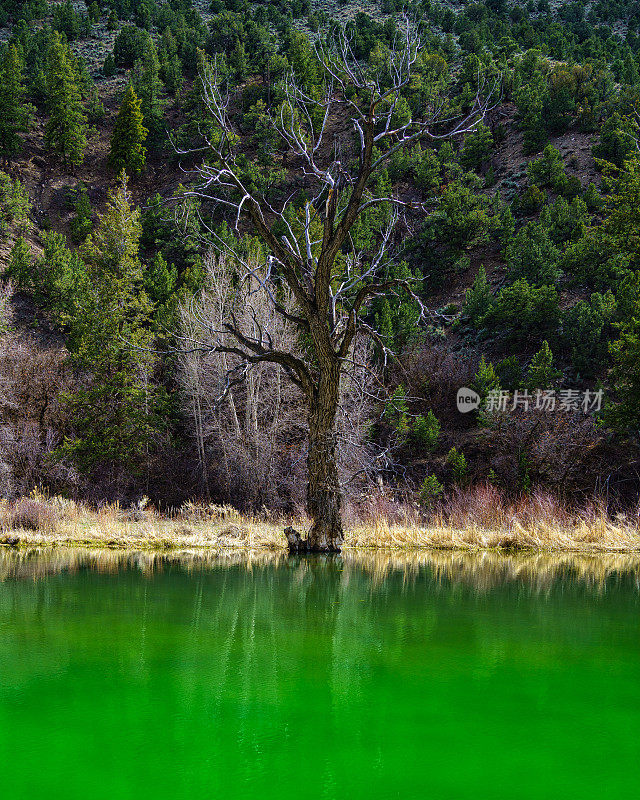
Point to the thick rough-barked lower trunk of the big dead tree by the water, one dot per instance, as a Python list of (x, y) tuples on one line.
[(324, 497)]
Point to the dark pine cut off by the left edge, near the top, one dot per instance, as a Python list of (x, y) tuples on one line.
[(14, 113)]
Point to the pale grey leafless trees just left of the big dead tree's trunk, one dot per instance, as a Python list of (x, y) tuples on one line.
[(246, 422)]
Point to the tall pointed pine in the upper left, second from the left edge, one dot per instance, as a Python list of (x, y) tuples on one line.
[(66, 130)]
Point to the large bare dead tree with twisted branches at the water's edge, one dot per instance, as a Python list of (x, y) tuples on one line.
[(331, 284)]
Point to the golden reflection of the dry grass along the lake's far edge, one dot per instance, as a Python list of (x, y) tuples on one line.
[(479, 570)]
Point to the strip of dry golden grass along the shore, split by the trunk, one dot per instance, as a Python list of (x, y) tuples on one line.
[(479, 519)]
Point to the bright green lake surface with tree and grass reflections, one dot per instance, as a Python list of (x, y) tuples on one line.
[(435, 676)]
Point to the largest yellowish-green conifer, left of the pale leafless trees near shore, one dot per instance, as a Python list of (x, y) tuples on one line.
[(116, 418)]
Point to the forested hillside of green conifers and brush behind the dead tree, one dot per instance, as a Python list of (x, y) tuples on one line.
[(513, 265)]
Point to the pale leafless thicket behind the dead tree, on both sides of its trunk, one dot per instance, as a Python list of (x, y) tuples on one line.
[(249, 422)]
